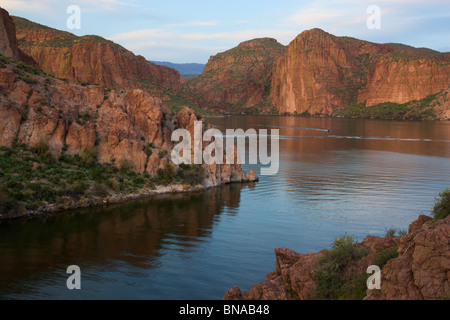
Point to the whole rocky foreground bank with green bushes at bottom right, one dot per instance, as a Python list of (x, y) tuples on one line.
[(415, 266)]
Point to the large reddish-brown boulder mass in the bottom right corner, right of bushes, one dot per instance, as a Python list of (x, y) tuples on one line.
[(422, 270)]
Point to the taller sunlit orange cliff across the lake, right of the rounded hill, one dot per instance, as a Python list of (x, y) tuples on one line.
[(320, 73)]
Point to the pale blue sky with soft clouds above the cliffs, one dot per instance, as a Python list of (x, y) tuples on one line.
[(190, 31)]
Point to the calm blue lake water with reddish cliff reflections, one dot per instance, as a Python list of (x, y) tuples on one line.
[(362, 178)]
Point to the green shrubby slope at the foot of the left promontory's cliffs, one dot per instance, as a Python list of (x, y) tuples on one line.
[(32, 177)]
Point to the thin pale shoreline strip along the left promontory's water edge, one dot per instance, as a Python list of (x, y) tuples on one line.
[(114, 199)]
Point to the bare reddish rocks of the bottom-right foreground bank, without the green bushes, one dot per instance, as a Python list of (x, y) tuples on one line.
[(421, 270)]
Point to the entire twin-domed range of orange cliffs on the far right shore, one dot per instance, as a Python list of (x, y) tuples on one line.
[(319, 74)]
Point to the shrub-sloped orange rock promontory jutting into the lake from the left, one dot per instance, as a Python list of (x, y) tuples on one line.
[(71, 140)]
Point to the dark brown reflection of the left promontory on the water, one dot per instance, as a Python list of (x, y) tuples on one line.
[(132, 233)]
